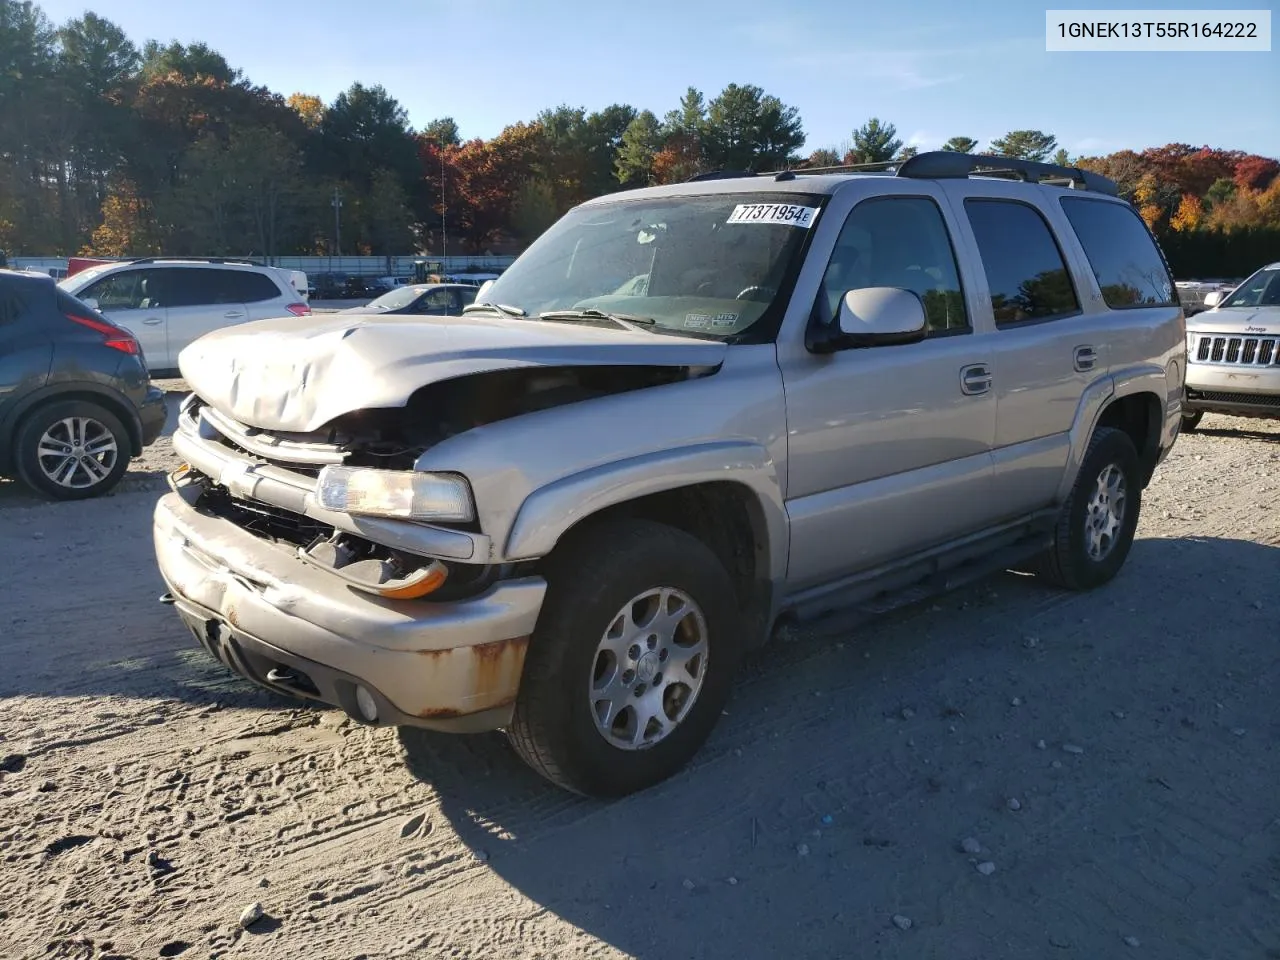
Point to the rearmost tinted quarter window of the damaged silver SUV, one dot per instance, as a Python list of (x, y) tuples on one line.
[(1126, 260)]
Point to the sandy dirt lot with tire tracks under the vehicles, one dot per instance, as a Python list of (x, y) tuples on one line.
[(1113, 757)]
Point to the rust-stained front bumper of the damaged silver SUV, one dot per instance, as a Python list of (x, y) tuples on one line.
[(292, 628)]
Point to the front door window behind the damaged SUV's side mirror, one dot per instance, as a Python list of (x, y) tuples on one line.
[(898, 243)]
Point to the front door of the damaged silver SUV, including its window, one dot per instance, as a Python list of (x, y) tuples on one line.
[(889, 447)]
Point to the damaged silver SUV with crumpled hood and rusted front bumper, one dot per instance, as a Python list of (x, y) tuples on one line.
[(685, 415)]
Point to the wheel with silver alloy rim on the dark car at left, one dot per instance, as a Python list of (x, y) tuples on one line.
[(61, 424)]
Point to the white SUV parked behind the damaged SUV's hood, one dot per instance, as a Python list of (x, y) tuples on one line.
[(168, 304)]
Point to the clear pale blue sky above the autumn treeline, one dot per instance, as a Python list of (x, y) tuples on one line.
[(935, 68)]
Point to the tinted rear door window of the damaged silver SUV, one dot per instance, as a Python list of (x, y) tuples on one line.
[(1026, 271)]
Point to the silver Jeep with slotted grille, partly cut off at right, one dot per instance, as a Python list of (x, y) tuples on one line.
[(1233, 353)]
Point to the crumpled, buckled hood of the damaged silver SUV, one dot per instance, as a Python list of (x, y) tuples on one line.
[(299, 373)]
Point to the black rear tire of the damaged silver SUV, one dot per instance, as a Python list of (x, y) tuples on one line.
[(1071, 563)]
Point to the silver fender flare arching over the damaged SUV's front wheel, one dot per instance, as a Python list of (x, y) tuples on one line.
[(551, 511)]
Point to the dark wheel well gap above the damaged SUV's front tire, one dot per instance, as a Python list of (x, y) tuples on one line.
[(728, 518)]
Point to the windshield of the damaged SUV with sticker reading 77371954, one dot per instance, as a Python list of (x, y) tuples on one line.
[(710, 266)]
